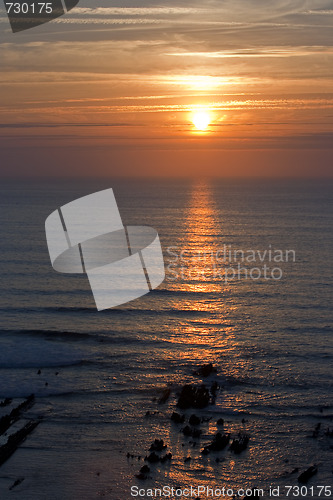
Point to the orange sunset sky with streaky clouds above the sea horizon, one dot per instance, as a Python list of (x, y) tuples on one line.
[(112, 88)]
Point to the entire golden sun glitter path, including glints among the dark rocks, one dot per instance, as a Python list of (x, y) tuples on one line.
[(210, 337)]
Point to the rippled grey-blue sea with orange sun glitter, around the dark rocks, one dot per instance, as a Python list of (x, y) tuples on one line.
[(270, 340)]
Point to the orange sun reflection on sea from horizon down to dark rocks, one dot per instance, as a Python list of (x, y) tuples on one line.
[(205, 332)]
